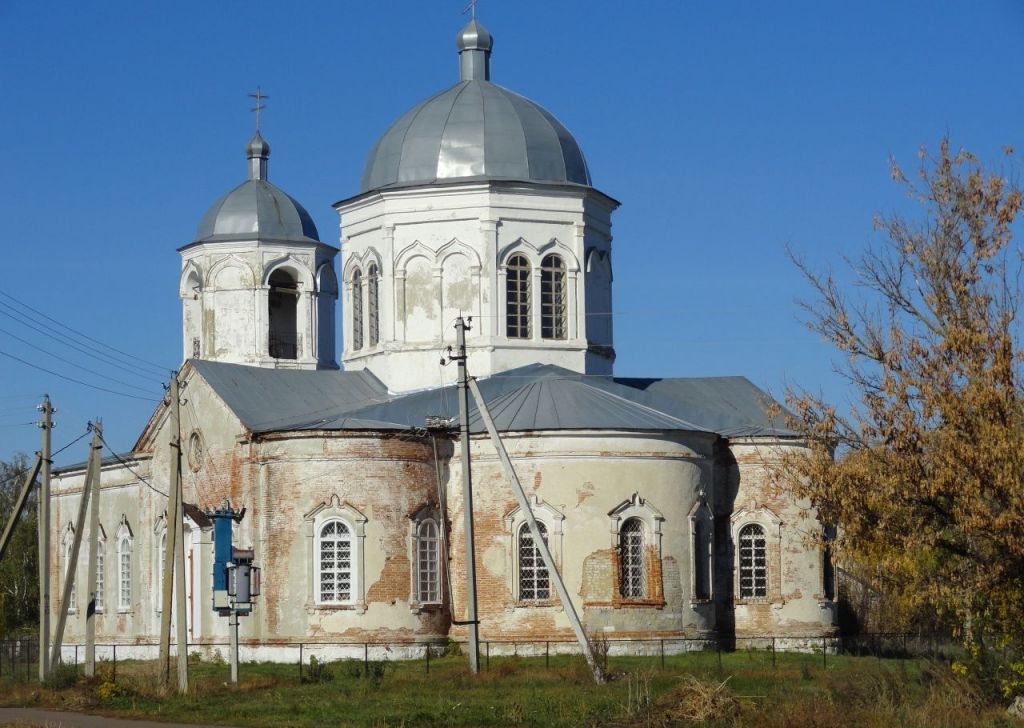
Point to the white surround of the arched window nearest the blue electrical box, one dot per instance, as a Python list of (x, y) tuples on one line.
[(336, 510)]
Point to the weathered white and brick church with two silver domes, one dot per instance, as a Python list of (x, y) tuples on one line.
[(655, 495)]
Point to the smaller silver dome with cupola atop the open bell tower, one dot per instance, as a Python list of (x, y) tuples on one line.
[(258, 209)]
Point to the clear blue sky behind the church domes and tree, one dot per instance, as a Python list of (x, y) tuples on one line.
[(729, 131)]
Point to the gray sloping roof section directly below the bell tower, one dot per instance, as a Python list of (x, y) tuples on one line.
[(268, 400)]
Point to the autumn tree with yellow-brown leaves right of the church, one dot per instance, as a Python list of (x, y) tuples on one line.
[(924, 474)]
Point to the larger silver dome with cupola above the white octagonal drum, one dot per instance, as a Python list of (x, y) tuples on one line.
[(476, 131)]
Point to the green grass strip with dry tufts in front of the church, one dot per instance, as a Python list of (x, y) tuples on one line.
[(797, 691)]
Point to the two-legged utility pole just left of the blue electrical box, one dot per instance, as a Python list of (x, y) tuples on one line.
[(175, 555)]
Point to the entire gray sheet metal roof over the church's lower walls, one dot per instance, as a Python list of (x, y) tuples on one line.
[(538, 398)]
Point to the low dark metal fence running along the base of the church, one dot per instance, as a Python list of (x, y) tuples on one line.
[(19, 659)]
